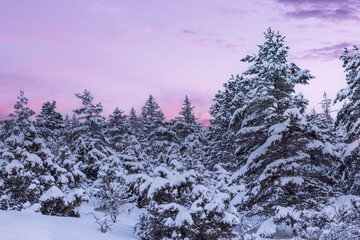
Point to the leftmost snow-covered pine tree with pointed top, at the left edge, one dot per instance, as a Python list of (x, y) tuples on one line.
[(28, 162)]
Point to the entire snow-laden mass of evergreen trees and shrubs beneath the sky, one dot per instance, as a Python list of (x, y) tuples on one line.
[(267, 167)]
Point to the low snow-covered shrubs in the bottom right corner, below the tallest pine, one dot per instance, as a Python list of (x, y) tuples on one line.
[(338, 220)]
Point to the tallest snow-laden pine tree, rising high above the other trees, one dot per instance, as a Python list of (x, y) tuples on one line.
[(287, 162)]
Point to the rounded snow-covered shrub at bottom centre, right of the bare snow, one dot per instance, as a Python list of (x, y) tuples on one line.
[(180, 208)]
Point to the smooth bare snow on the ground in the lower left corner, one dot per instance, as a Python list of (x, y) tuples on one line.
[(16, 225)]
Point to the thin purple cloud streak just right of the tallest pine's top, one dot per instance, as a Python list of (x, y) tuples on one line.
[(326, 53)]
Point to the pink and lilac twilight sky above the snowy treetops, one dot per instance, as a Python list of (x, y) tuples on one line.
[(122, 51)]
